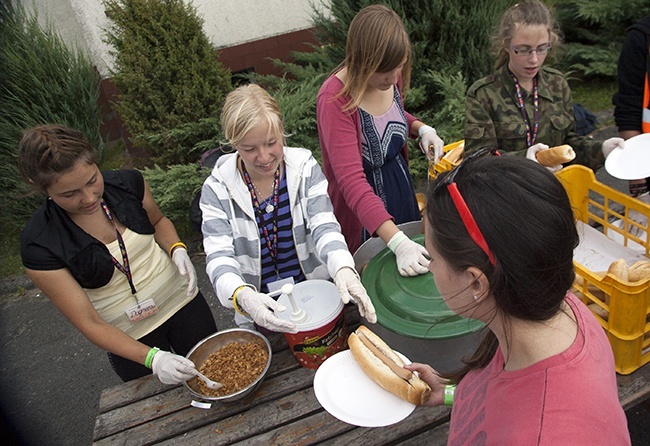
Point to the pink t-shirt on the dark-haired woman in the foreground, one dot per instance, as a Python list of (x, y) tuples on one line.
[(570, 398)]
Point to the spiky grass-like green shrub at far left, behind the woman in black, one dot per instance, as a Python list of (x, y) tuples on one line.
[(41, 81)]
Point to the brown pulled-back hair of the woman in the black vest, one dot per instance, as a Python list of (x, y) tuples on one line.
[(45, 152)]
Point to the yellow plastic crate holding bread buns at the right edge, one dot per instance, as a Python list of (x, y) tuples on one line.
[(627, 304)]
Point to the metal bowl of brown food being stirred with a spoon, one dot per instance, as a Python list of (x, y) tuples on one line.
[(238, 358)]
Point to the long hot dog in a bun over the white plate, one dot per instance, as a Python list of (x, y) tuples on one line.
[(412, 389)]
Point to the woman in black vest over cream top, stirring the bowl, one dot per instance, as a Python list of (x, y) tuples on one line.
[(102, 251)]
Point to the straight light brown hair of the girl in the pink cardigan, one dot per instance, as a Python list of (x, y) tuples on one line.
[(377, 41)]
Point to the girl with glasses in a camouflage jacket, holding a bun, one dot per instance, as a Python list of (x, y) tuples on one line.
[(524, 106)]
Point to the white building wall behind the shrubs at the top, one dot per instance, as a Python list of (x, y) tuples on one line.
[(81, 23)]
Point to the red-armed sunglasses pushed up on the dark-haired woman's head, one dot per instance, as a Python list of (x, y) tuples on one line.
[(461, 206)]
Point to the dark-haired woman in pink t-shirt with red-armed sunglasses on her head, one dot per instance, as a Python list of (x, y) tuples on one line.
[(501, 234)]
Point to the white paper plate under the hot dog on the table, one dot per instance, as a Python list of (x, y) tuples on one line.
[(347, 393)]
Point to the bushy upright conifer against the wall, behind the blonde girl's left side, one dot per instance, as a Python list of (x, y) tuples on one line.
[(168, 75)]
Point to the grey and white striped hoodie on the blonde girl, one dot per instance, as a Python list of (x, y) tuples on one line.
[(230, 234)]
